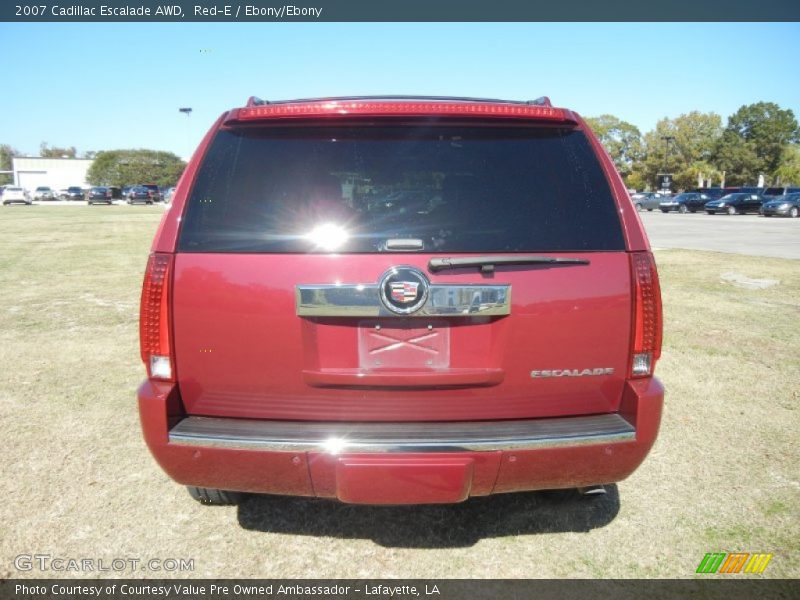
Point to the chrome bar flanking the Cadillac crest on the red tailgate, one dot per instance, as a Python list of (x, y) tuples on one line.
[(363, 300)]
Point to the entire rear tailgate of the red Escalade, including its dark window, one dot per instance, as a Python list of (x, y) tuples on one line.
[(260, 225)]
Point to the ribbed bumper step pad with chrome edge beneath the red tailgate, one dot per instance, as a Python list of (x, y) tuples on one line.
[(335, 438)]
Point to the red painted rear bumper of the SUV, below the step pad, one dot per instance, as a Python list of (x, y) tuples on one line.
[(415, 478)]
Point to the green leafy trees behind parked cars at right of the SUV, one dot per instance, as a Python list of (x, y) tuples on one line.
[(758, 139)]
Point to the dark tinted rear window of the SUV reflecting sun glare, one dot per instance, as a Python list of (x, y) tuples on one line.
[(457, 189)]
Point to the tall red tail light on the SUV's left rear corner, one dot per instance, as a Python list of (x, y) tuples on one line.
[(154, 318)]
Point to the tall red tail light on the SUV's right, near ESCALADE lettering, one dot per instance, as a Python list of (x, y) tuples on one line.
[(647, 315)]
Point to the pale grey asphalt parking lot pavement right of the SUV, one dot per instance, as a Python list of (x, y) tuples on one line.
[(740, 234)]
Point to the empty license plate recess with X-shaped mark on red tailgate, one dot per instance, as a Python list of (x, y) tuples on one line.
[(403, 344)]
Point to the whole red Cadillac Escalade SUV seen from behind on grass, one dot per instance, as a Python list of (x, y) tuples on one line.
[(399, 300)]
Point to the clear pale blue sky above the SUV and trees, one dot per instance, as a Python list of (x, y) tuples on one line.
[(106, 86)]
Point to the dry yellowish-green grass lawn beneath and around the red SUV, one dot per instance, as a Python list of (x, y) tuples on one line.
[(78, 481)]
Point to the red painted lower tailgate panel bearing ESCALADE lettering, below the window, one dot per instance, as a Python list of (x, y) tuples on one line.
[(242, 351)]
